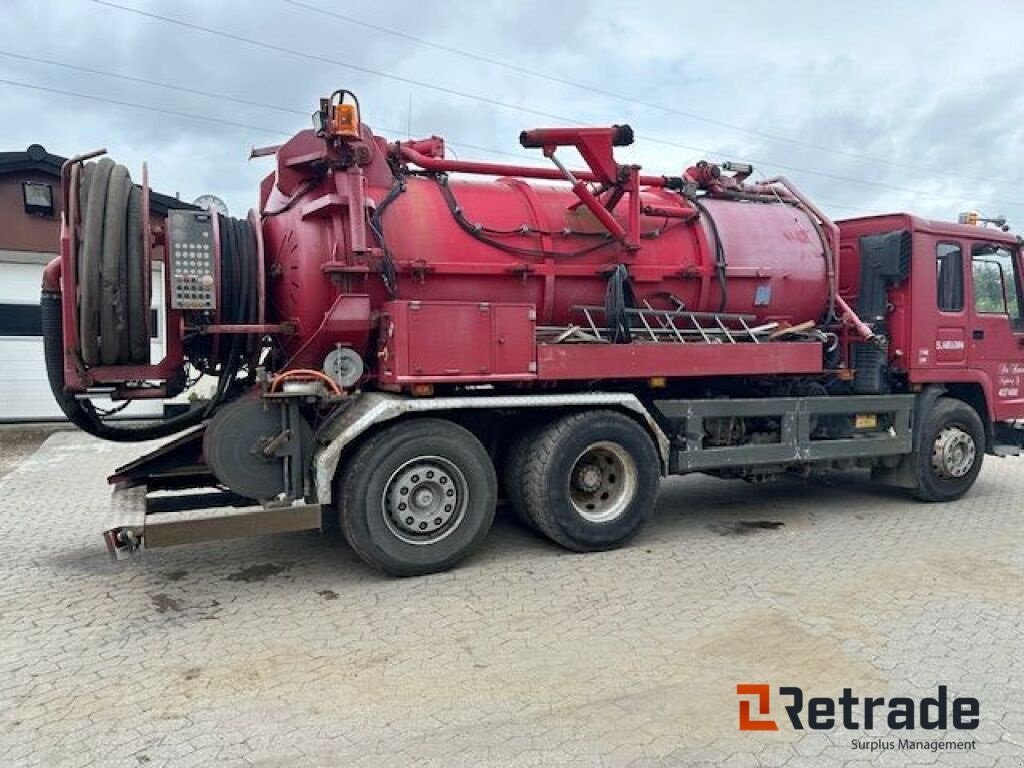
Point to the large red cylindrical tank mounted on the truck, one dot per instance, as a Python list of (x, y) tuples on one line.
[(544, 248)]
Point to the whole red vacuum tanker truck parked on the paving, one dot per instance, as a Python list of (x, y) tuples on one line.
[(397, 335)]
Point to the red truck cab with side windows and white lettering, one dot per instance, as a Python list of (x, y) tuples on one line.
[(955, 320)]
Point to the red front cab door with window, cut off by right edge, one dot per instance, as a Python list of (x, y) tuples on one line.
[(997, 330)]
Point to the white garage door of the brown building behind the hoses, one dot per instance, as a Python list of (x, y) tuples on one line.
[(25, 393)]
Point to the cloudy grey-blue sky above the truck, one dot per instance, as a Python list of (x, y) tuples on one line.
[(868, 107)]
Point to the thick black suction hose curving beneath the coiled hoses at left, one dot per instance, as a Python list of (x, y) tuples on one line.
[(81, 413)]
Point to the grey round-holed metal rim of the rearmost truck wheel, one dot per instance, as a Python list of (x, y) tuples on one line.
[(425, 500)]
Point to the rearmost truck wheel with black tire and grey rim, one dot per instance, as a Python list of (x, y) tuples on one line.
[(400, 459)]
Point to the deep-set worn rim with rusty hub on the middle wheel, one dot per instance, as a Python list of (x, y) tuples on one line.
[(603, 483)]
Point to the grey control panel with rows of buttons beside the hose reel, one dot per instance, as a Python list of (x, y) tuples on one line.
[(191, 254)]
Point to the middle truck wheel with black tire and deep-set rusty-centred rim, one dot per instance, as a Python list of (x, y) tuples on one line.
[(617, 459)]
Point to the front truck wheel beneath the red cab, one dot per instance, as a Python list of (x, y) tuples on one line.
[(953, 448)]
